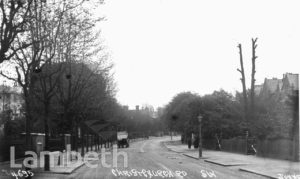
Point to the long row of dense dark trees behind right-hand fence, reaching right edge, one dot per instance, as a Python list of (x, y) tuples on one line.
[(223, 116)]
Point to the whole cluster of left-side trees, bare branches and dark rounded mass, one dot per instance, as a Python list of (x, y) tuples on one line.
[(52, 51)]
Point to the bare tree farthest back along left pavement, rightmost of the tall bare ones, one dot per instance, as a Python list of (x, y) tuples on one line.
[(78, 46)]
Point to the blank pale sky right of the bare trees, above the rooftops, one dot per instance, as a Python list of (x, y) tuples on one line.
[(163, 47)]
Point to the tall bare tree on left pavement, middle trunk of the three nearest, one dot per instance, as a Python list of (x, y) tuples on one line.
[(51, 67)]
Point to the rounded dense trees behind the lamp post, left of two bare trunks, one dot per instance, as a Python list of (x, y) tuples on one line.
[(219, 110)]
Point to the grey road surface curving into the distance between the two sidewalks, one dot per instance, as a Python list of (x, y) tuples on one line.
[(151, 159)]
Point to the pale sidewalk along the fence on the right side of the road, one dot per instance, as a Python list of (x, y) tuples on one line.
[(271, 168)]
